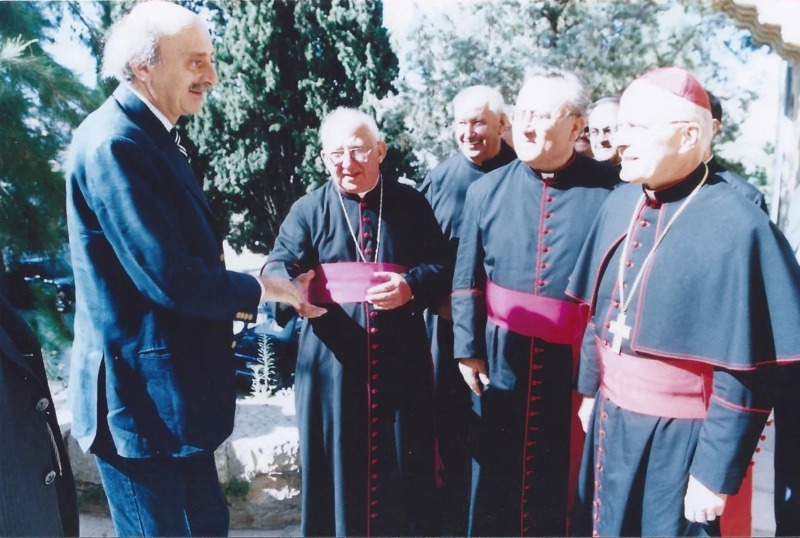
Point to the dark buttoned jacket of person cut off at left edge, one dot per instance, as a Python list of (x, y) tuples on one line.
[(37, 492)]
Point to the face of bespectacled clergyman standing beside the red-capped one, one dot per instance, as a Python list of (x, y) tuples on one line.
[(544, 128)]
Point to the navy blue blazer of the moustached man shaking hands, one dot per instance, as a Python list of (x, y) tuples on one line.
[(152, 366)]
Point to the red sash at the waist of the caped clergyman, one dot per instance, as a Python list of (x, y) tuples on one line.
[(660, 388)]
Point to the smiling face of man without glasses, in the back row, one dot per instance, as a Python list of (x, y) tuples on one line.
[(478, 131)]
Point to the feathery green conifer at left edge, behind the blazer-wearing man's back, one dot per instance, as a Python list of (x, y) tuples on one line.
[(40, 102)]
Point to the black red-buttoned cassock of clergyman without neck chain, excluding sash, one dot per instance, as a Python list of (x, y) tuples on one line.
[(523, 233)]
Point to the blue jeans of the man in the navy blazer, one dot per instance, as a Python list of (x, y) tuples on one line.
[(164, 496)]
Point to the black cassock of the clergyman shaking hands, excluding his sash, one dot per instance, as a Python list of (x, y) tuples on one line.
[(364, 382)]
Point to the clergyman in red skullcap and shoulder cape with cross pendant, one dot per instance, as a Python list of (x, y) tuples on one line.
[(695, 299)]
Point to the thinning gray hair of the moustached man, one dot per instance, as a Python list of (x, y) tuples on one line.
[(134, 38)]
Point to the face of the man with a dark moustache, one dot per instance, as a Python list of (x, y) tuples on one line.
[(184, 72)]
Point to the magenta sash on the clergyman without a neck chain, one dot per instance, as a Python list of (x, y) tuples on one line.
[(559, 322)]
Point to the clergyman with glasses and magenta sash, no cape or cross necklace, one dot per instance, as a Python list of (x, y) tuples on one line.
[(514, 328)]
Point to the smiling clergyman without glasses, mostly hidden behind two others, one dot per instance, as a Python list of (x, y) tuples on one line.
[(479, 119)]
